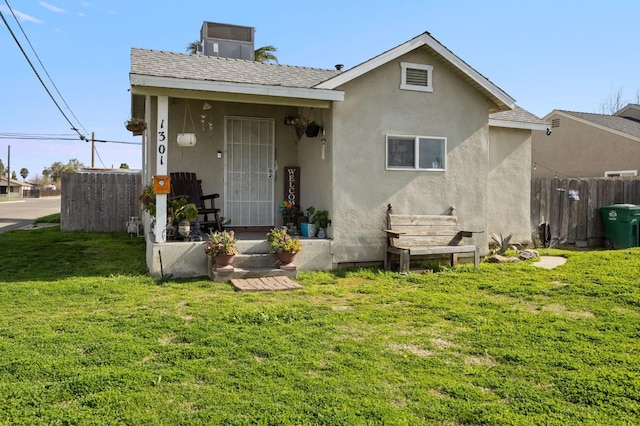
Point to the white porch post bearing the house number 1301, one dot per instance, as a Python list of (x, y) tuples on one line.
[(162, 142)]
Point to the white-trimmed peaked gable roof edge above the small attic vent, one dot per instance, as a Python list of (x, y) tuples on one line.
[(503, 101)]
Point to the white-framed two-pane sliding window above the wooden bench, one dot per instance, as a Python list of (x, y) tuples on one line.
[(416, 152)]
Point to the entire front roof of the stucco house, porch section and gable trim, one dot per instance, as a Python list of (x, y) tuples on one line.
[(170, 70)]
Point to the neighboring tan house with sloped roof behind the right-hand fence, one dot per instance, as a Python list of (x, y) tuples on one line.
[(582, 144)]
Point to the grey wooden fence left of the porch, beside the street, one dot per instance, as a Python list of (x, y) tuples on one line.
[(99, 201)]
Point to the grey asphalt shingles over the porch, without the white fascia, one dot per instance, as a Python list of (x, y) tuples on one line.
[(209, 68)]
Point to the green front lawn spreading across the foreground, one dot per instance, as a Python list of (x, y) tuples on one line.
[(86, 337)]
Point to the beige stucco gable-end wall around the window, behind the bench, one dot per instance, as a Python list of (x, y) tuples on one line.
[(374, 107)]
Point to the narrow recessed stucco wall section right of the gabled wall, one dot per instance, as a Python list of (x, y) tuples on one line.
[(509, 184)]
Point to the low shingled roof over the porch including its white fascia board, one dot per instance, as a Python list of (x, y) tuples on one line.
[(170, 70)]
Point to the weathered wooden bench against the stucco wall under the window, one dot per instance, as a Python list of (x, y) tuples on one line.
[(414, 235)]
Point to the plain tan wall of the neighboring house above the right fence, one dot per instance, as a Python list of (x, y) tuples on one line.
[(576, 149)]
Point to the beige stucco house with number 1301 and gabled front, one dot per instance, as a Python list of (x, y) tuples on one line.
[(410, 127)]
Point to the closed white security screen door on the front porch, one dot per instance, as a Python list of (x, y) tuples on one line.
[(249, 147)]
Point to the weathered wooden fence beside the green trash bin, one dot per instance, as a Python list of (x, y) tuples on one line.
[(578, 221)]
